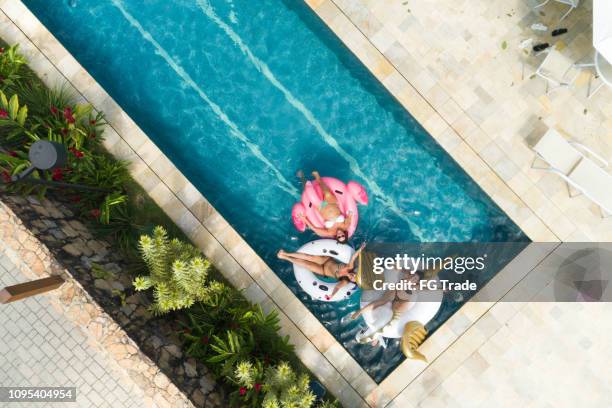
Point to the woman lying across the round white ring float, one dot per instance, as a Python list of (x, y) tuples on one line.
[(325, 266)]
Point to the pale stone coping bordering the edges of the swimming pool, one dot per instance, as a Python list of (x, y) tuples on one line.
[(315, 346)]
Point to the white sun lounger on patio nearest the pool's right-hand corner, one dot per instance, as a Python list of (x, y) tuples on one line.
[(569, 161)]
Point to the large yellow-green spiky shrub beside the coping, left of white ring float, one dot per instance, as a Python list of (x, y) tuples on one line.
[(177, 272)]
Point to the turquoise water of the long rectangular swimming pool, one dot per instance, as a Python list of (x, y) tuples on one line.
[(241, 94)]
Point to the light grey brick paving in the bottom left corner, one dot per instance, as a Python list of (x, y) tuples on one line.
[(28, 358)]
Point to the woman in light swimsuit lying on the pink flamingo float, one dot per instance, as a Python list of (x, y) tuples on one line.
[(336, 224)]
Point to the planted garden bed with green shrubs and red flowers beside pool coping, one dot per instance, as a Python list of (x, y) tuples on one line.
[(217, 347)]
